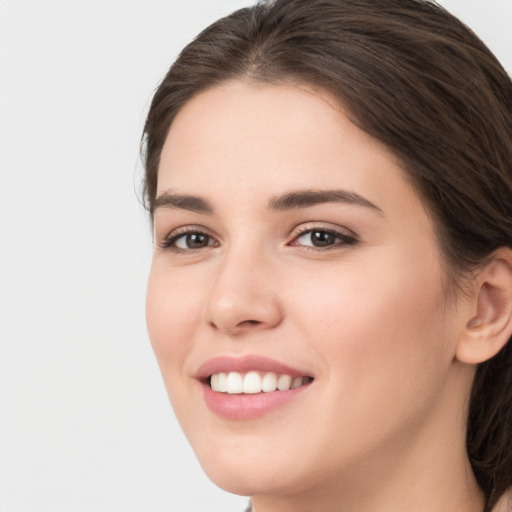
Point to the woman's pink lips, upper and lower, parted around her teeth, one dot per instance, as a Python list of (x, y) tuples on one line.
[(246, 406)]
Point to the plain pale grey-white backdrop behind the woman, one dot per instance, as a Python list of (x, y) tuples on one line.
[(85, 425)]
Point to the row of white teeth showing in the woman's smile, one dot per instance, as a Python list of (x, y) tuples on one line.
[(252, 382)]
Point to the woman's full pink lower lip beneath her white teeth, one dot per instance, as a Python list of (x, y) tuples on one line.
[(247, 406)]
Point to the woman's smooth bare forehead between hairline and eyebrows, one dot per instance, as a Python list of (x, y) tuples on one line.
[(244, 139)]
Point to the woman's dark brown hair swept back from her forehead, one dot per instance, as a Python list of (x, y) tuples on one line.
[(417, 79)]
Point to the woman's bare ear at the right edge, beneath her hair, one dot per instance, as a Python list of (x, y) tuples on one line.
[(490, 324)]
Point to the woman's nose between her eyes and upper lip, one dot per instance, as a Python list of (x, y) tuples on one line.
[(243, 297)]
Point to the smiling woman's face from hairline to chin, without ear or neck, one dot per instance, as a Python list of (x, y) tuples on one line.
[(291, 251)]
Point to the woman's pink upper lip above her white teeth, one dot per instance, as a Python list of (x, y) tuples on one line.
[(243, 364)]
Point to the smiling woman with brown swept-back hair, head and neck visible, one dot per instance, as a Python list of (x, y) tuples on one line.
[(329, 301)]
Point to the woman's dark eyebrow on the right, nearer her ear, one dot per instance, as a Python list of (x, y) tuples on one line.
[(306, 198)]
